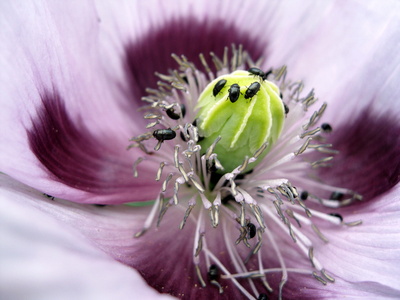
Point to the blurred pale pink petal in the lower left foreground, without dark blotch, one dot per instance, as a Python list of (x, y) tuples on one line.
[(43, 258)]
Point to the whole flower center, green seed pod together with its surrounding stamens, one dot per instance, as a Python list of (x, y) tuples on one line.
[(227, 157)]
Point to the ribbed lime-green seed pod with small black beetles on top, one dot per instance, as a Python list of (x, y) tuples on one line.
[(245, 111)]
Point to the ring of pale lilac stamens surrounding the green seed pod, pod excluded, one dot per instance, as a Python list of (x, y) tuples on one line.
[(272, 195)]
